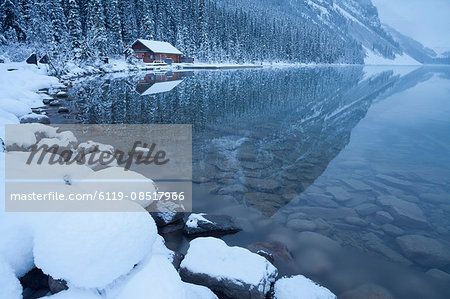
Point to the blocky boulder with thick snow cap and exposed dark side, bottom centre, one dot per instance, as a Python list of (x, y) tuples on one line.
[(233, 271)]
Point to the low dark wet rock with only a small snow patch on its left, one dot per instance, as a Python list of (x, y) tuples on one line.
[(210, 225)]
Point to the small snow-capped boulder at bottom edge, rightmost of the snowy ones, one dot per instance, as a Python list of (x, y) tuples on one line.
[(300, 287)]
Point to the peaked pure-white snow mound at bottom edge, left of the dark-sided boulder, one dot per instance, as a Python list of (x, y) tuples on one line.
[(156, 279)]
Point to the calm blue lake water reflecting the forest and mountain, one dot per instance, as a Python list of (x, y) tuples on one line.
[(344, 172)]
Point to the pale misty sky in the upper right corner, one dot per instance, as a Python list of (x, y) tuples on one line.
[(427, 21)]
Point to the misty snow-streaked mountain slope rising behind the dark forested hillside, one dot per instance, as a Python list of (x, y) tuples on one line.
[(351, 20)]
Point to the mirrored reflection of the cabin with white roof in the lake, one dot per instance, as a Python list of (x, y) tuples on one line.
[(158, 82)]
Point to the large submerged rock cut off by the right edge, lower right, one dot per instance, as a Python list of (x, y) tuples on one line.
[(425, 251)]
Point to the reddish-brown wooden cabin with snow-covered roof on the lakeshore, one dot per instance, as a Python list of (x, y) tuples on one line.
[(150, 51)]
